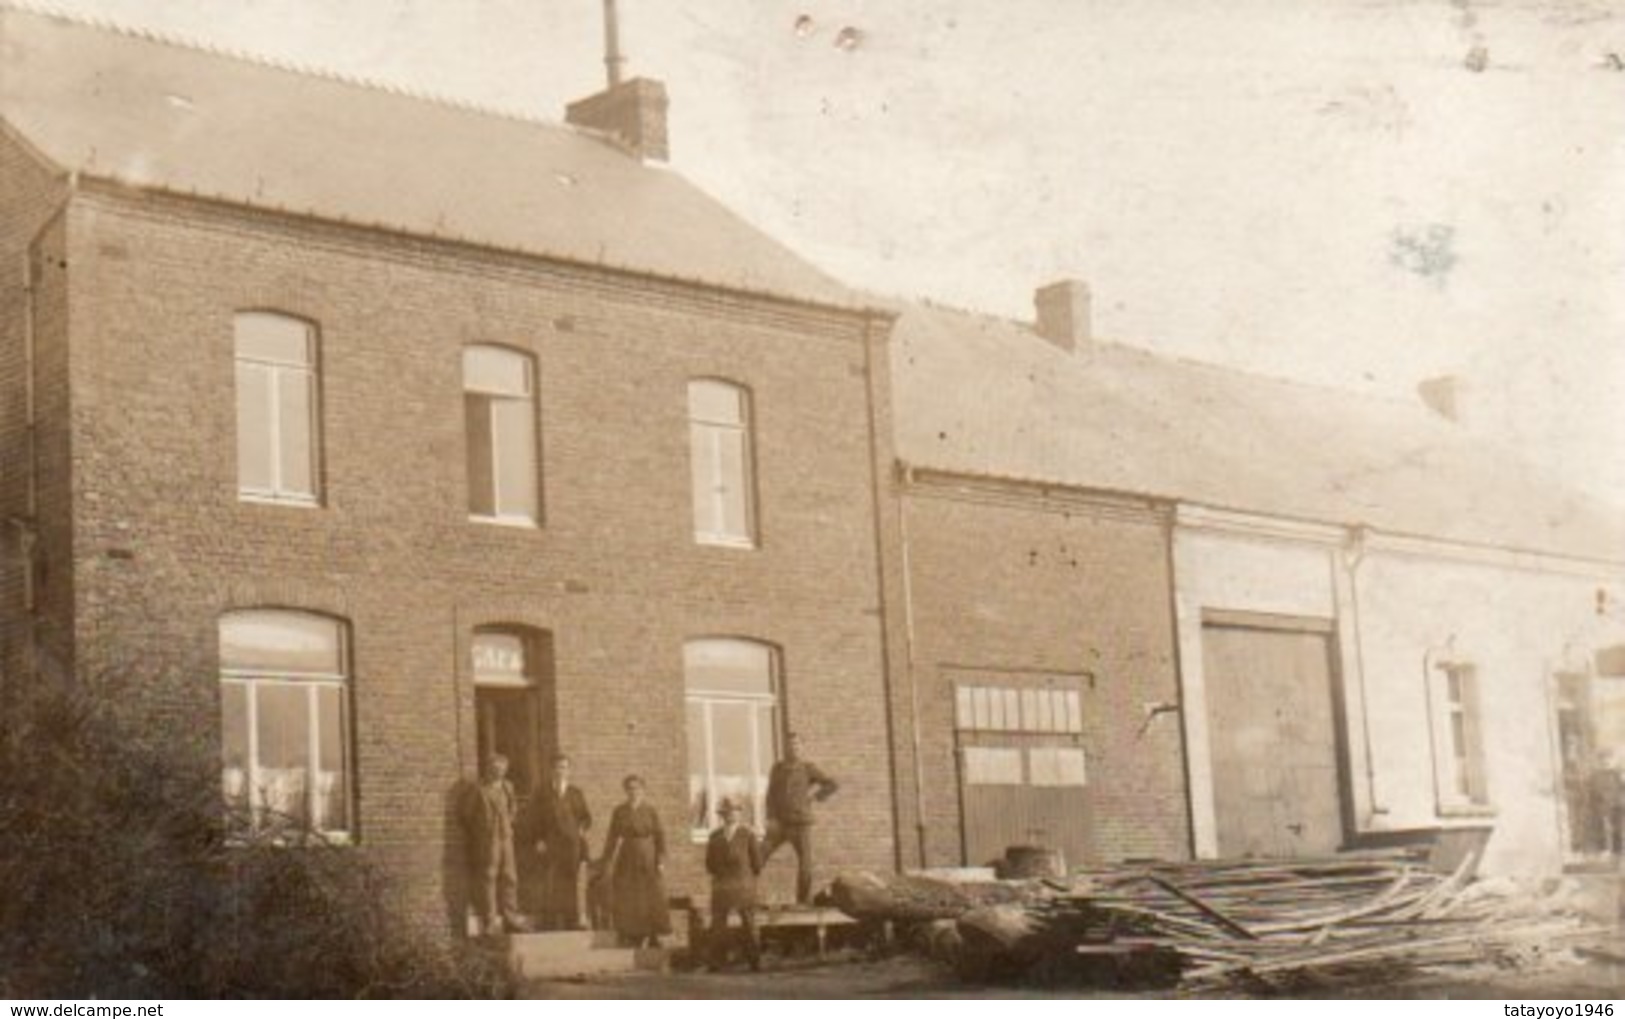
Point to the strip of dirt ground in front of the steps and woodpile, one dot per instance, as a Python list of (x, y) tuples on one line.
[(908, 978)]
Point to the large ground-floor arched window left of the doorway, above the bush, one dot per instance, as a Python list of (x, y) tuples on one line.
[(285, 721)]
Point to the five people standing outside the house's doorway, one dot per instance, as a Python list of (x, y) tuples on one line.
[(630, 874)]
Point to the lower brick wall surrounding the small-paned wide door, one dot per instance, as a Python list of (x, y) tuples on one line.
[(1013, 579)]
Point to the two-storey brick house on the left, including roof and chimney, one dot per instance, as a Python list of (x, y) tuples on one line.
[(376, 433)]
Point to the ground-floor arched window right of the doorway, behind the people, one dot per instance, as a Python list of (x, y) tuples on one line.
[(732, 692)]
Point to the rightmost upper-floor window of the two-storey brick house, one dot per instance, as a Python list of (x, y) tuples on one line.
[(721, 459)]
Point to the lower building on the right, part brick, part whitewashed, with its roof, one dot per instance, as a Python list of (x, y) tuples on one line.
[(1293, 620)]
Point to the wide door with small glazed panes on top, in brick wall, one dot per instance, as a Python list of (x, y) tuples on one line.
[(1023, 771)]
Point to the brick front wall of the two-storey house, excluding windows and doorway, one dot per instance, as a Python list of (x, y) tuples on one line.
[(163, 545)]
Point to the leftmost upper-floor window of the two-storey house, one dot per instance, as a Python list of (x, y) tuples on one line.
[(279, 428)]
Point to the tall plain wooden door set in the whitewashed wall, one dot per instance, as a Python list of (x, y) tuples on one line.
[(1275, 742)]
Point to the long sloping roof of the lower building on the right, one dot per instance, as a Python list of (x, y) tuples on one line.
[(990, 397)]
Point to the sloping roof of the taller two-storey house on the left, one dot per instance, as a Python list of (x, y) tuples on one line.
[(144, 111)]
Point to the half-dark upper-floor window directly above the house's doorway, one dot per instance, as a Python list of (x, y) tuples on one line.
[(500, 409)]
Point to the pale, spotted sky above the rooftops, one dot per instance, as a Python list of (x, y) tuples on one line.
[(1350, 193)]
